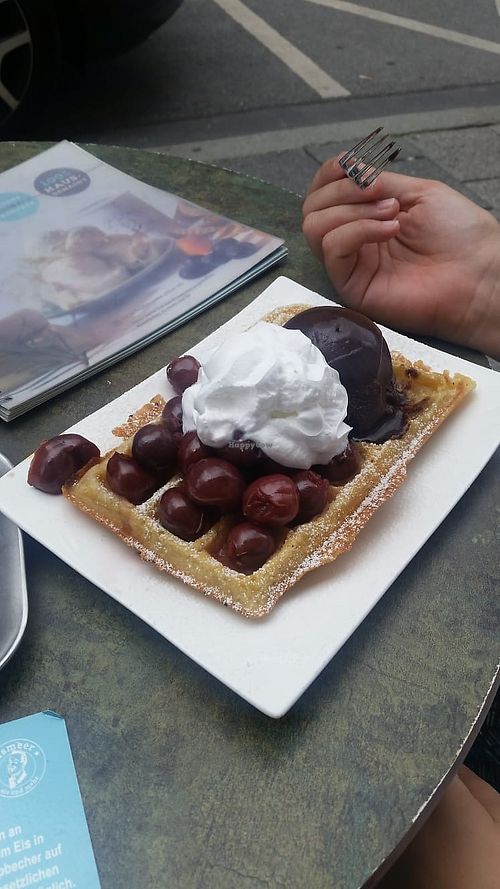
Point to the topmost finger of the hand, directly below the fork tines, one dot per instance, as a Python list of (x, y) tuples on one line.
[(406, 189)]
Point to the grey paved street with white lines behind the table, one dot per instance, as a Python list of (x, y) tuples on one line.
[(272, 89)]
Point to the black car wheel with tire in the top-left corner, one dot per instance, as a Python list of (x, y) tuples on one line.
[(30, 57)]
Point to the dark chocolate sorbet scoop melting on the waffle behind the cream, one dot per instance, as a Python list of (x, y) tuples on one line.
[(355, 347)]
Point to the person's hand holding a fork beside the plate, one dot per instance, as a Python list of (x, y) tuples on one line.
[(410, 253)]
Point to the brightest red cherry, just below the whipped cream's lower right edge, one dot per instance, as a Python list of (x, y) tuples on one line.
[(271, 500)]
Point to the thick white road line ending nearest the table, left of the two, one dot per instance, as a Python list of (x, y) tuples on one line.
[(300, 64)]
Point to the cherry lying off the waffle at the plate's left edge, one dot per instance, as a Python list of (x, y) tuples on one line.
[(57, 460)]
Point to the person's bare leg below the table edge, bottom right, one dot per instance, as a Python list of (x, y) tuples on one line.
[(458, 847)]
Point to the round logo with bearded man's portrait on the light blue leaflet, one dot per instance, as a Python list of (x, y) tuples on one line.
[(22, 767)]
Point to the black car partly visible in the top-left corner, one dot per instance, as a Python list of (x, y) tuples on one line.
[(38, 36)]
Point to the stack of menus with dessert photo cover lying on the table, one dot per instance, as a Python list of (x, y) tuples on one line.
[(95, 264)]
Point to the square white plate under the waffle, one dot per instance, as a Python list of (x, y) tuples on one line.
[(270, 662)]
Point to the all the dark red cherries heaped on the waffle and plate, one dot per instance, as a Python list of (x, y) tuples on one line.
[(238, 479)]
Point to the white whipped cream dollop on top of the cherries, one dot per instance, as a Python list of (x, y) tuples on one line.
[(273, 386)]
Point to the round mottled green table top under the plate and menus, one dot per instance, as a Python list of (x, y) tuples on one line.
[(185, 785)]
